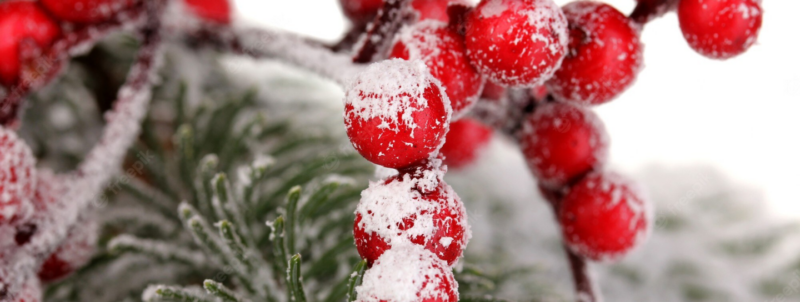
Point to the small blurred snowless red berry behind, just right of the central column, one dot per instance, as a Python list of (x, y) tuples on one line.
[(465, 141)]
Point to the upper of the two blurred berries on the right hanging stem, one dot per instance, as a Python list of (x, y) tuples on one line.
[(562, 142)]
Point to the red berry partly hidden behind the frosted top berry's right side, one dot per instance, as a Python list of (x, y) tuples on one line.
[(604, 55)]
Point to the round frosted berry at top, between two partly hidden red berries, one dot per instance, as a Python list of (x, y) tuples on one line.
[(517, 42)]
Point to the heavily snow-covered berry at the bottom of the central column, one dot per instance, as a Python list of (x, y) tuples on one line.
[(408, 273)]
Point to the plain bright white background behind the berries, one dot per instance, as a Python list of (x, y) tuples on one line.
[(739, 115)]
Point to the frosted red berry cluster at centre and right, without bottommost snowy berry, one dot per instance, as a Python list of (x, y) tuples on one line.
[(398, 113)]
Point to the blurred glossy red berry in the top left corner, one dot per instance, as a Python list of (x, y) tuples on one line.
[(22, 22)]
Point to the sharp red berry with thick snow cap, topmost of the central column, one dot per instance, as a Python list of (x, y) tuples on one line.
[(396, 114)]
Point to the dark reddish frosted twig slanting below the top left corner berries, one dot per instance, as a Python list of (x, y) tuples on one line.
[(45, 66)]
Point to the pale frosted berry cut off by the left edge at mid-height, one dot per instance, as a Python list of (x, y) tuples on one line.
[(17, 178)]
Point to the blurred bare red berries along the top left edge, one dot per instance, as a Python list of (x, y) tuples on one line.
[(29, 28)]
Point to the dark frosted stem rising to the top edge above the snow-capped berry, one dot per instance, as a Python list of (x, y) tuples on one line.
[(381, 32)]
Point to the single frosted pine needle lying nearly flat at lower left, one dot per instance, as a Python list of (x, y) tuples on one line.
[(159, 250)]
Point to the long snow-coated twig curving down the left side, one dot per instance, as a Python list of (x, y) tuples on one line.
[(84, 185)]
